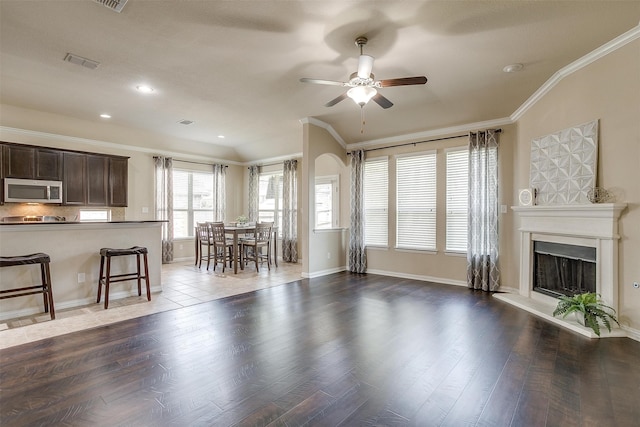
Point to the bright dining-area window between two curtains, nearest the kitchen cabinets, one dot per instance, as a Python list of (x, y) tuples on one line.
[(192, 201)]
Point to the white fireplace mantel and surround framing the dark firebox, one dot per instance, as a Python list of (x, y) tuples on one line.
[(593, 225)]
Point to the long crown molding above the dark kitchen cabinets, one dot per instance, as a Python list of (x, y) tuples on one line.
[(112, 145)]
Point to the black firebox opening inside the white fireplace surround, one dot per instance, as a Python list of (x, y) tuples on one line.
[(560, 269)]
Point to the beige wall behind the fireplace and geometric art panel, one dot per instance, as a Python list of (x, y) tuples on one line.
[(608, 90)]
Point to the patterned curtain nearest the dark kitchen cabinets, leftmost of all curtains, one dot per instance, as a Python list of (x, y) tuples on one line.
[(164, 203)]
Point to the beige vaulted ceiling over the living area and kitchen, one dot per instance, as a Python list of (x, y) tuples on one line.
[(233, 67)]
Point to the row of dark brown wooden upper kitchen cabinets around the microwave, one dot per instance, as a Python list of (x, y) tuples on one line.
[(88, 179)]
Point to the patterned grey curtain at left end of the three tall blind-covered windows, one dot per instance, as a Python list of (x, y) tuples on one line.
[(357, 254)]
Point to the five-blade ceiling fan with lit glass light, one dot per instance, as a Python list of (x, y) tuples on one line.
[(362, 84)]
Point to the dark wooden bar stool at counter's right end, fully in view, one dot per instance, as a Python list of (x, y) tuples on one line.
[(108, 278)]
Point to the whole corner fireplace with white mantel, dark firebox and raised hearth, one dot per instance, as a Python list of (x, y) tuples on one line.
[(567, 249)]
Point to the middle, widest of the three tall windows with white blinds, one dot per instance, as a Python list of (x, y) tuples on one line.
[(416, 201)]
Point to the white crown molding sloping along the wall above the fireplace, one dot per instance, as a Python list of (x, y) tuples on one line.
[(589, 58)]
